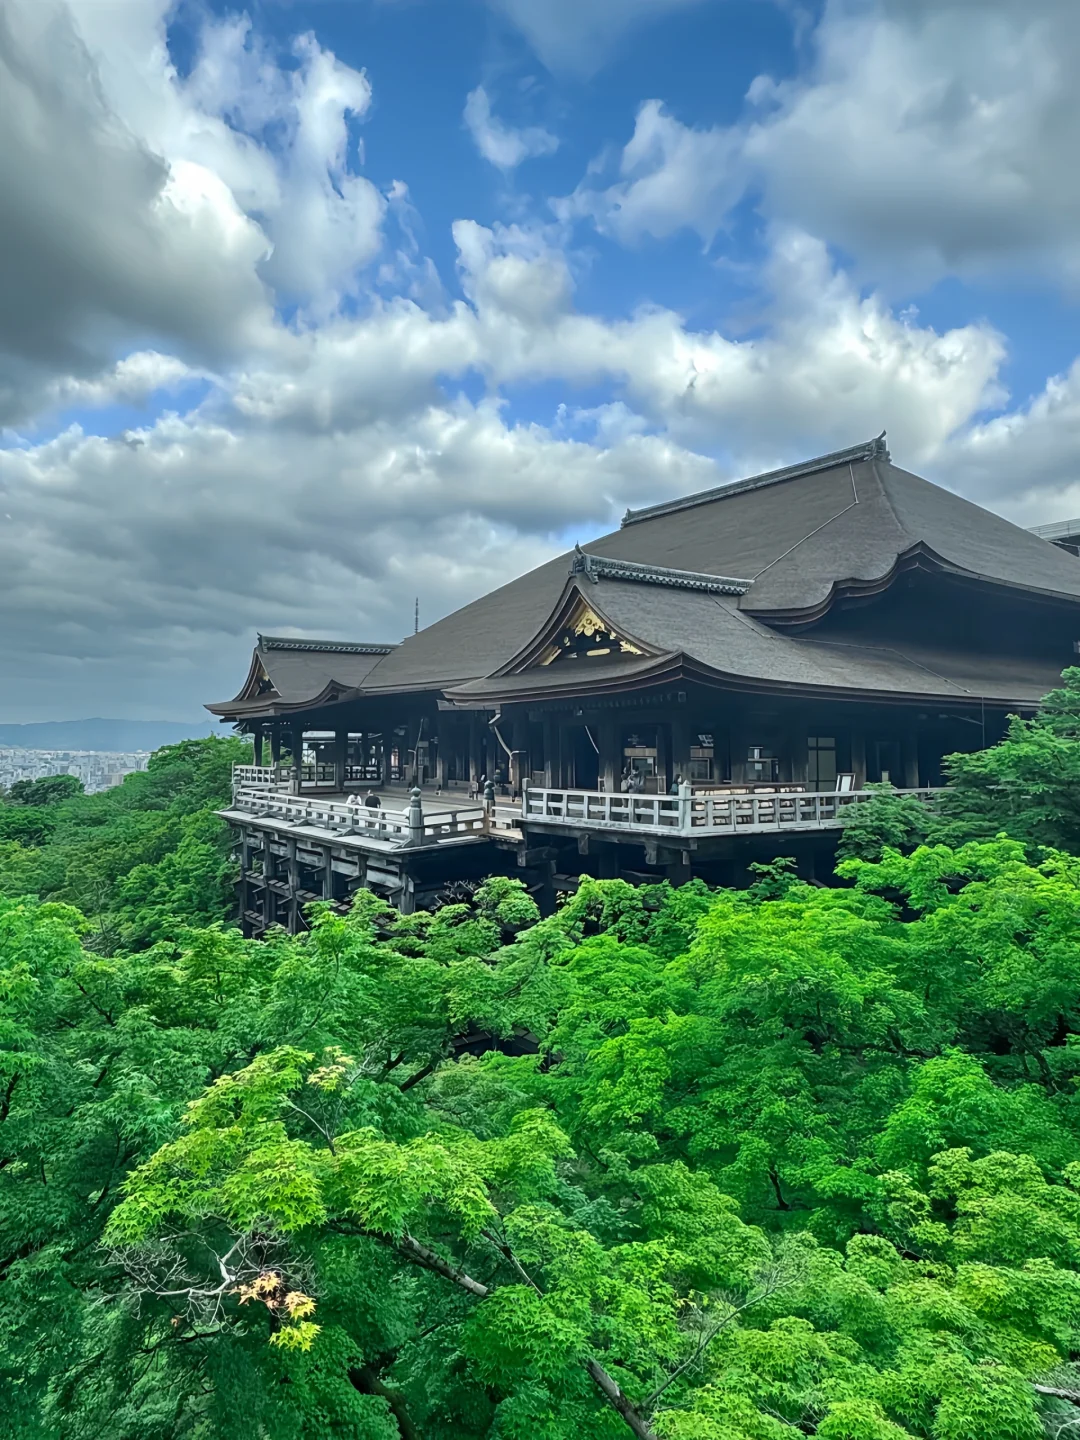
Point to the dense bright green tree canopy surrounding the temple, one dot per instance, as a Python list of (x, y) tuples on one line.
[(683, 1164)]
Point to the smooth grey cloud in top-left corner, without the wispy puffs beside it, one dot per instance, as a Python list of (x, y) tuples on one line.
[(102, 238)]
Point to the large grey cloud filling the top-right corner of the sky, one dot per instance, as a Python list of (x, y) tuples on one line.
[(927, 139)]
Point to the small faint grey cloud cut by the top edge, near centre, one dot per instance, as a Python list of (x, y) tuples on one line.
[(577, 37)]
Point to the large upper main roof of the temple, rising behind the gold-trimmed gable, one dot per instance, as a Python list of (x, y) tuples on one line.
[(797, 535)]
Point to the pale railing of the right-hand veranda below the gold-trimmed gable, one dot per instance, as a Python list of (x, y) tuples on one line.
[(714, 814)]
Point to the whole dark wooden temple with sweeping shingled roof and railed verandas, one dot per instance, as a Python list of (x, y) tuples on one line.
[(716, 682)]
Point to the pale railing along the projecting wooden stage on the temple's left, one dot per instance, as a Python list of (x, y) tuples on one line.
[(397, 827)]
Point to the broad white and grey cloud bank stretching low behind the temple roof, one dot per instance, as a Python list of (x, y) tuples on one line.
[(343, 472)]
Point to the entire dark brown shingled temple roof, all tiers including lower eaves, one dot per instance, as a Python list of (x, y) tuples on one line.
[(729, 581)]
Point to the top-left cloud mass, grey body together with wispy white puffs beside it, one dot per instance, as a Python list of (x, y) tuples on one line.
[(138, 207)]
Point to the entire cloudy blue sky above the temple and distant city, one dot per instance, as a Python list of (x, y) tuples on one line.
[(310, 310)]
